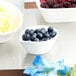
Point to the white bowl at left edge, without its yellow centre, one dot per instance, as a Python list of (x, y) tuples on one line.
[(17, 19)]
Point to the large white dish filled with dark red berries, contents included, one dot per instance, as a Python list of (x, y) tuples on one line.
[(55, 11)]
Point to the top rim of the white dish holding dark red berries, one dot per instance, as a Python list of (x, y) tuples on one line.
[(38, 5)]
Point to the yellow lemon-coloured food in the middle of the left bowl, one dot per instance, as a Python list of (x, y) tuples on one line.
[(5, 23)]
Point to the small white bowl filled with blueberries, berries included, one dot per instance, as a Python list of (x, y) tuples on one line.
[(38, 39)]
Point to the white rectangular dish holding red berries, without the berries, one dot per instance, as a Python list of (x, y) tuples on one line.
[(54, 15)]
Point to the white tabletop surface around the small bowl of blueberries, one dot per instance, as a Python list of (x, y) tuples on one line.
[(13, 55)]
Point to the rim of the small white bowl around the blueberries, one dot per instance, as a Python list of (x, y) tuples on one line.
[(36, 27)]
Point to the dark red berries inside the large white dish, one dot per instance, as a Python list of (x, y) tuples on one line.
[(58, 3)]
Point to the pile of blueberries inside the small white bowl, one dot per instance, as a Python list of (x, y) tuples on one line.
[(39, 34)]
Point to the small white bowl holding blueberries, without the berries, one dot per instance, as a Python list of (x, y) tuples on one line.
[(42, 47)]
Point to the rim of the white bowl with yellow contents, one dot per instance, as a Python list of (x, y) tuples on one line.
[(21, 21)]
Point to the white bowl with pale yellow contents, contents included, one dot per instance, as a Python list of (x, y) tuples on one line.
[(11, 20)]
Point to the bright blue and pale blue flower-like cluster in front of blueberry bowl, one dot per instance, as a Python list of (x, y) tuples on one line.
[(44, 68)]
